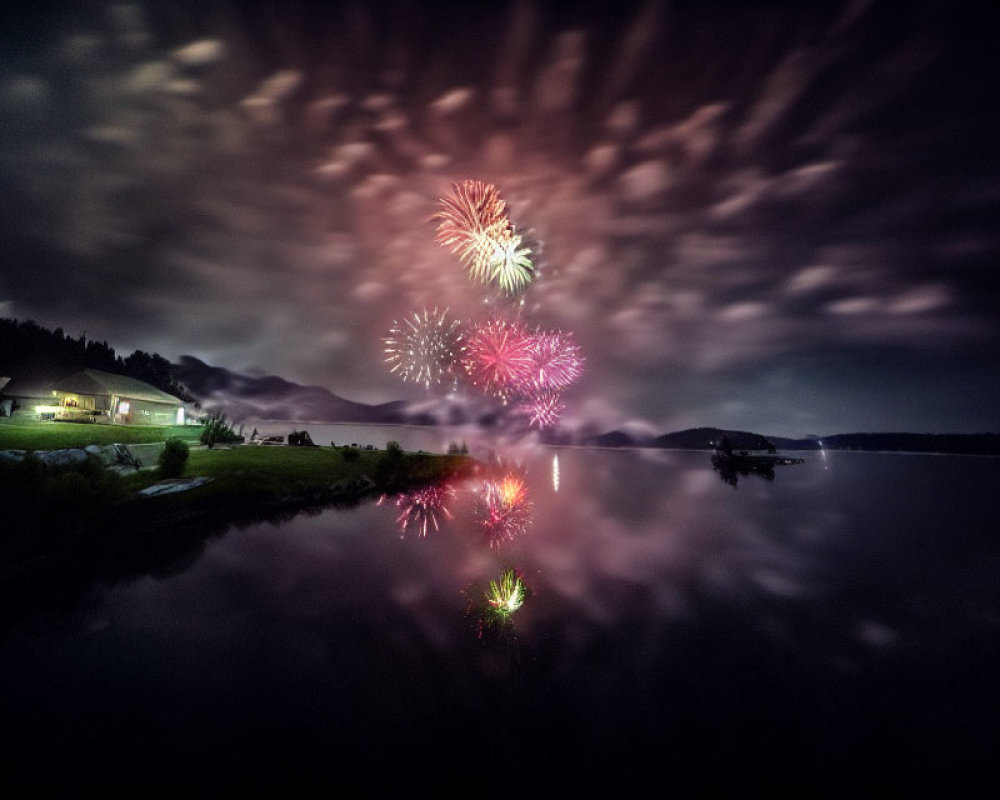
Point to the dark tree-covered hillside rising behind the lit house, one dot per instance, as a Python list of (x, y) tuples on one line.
[(29, 353)]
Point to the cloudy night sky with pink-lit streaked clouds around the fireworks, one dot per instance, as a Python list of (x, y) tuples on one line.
[(778, 217)]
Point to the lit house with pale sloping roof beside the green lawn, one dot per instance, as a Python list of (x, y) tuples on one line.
[(92, 395)]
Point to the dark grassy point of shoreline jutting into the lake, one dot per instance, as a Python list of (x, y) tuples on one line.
[(57, 509)]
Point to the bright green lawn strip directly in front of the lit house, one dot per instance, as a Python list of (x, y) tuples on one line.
[(19, 434)]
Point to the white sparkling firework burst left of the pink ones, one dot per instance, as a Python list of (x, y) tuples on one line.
[(426, 348)]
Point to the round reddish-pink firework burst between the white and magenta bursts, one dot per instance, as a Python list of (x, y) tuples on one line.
[(498, 358)]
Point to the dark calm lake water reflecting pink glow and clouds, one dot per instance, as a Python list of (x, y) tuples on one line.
[(835, 629)]
